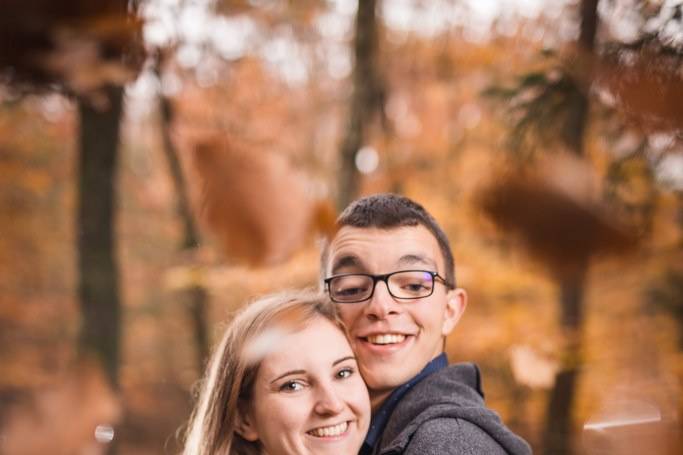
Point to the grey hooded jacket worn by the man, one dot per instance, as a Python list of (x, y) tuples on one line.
[(445, 414)]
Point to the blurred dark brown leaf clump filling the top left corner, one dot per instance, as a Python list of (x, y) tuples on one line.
[(77, 45)]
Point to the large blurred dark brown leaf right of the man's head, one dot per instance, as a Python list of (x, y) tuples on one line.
[(553, 210)]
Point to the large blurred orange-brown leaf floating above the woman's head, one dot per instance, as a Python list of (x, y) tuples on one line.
[(256, 204)]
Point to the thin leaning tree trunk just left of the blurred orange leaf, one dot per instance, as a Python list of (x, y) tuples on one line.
[(196, 297)]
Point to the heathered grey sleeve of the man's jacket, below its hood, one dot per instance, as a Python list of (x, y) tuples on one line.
[(446, 436)]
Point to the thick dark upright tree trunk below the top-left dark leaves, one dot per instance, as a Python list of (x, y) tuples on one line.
[(98, 286)]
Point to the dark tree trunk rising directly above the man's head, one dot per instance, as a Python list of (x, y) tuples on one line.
[(366, 100)]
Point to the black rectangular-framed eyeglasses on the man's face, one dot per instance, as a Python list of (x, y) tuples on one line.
[(403, 285)]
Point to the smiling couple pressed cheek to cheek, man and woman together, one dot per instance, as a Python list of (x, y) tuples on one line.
[(292, 372)]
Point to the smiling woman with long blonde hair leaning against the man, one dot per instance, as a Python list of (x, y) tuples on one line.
[(283, 380)]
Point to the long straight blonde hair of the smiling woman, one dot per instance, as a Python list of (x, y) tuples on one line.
[(234, 363)]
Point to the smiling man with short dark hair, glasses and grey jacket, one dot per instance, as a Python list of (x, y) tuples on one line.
[(390, 269)]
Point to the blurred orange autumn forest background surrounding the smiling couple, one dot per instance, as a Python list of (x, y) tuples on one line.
[(164, 161)]
